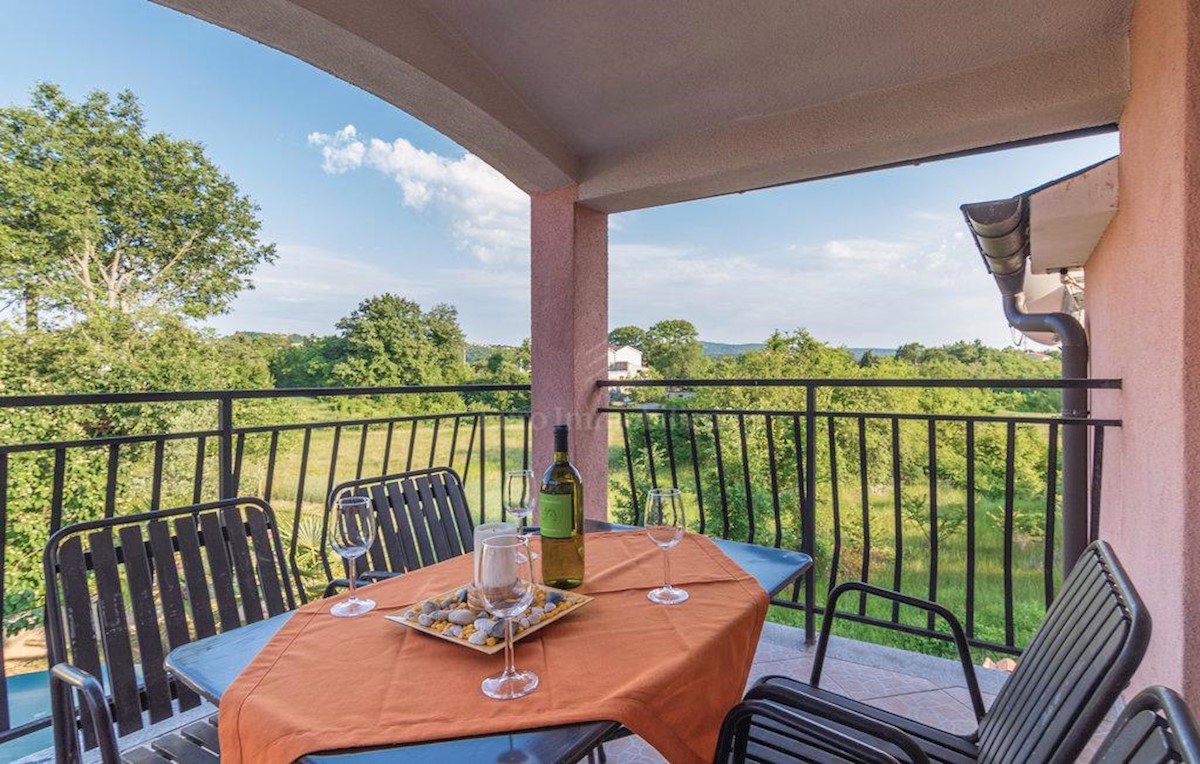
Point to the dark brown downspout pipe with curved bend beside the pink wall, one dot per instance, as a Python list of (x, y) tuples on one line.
[(1001, 232)]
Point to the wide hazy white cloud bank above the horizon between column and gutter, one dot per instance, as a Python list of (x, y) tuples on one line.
[(856, 292)]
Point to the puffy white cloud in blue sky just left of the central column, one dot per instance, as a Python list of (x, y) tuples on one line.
[(488, 215)]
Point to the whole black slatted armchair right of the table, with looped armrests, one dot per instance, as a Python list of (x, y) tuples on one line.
[(1081, 660)]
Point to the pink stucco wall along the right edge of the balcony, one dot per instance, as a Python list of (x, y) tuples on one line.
[(1144, 320)]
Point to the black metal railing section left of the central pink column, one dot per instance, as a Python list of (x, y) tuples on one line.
[(145, 452)]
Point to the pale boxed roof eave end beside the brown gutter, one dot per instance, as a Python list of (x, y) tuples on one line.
[(1069, 216)]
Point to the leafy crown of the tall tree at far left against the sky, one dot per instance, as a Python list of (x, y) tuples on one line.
[(99, 215)]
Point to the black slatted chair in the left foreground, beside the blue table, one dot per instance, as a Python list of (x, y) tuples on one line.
[(116, 587)]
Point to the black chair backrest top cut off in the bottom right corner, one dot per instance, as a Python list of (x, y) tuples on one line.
[(1156, 726)]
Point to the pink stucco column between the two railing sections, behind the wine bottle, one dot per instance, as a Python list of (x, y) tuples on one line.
[(571, 336)]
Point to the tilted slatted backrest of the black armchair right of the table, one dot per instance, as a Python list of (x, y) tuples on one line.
[(1081, 660)]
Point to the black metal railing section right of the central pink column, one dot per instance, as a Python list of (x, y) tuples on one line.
[(962, 509)]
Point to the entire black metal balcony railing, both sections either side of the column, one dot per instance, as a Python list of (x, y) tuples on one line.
[(815, 478)]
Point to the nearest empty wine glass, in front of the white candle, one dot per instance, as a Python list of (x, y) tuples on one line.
[(505, 581)]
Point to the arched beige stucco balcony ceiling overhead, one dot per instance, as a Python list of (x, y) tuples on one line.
[(646, 104)]
